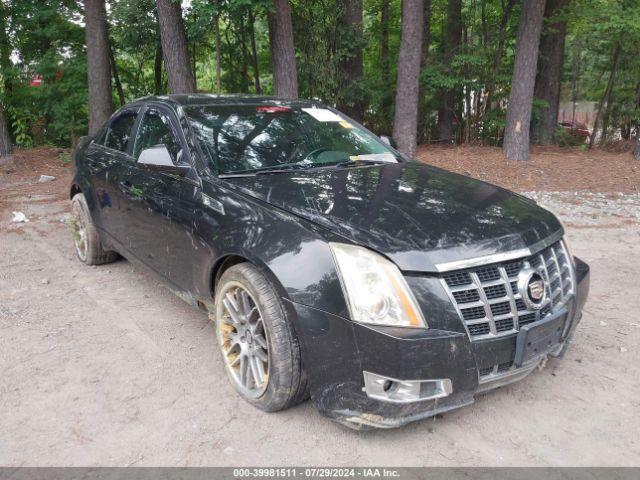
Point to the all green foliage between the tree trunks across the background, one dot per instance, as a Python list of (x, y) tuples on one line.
[(47, 39)]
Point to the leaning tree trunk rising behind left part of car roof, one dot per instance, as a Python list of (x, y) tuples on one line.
[(174, 47)]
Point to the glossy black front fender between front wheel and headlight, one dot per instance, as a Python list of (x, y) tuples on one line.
[(292, 251)]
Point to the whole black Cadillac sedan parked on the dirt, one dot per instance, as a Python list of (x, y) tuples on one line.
[(385, 289)]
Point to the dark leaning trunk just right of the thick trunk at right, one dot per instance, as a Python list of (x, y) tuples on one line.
[(549, 77)]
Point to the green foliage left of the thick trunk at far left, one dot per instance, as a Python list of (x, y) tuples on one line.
[(50, 44)]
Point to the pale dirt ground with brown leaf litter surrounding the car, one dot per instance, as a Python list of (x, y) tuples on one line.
[(104, 366)]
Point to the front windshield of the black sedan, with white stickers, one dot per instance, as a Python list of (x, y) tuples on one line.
[(246, 139)]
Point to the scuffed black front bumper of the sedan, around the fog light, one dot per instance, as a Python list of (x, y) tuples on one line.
[(337, 351)]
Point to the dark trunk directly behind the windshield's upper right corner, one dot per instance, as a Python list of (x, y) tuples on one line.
[(350, 99)]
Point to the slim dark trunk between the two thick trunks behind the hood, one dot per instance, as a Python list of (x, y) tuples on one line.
[(452, 41)]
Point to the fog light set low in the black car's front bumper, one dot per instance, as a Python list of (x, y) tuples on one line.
[(404, 391)]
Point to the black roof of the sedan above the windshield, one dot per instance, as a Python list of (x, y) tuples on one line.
[(212, 99)]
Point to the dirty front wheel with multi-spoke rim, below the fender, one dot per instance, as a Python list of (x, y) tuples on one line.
[(278, 383)]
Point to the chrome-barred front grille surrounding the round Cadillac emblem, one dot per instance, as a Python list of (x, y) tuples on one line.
[(487, 298)]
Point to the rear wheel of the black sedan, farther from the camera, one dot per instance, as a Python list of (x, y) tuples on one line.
[(85, 236)]
